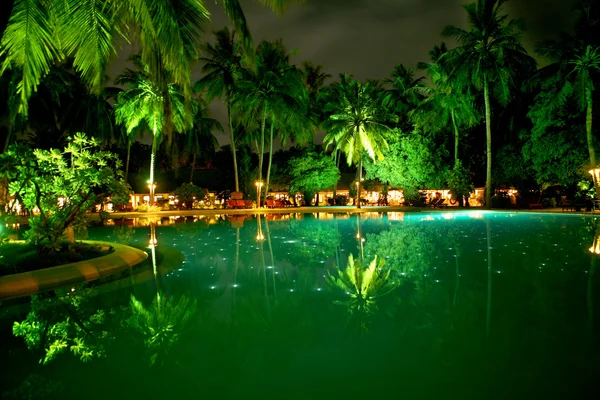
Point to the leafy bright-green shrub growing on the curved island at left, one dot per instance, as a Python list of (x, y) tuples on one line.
[(61, 185)]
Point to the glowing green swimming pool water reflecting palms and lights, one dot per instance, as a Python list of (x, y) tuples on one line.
[(466, 306)]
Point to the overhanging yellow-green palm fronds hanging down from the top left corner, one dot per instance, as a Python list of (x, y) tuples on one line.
[(42, 33)]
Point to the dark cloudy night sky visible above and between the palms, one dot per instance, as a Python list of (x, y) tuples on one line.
[(368, 37)]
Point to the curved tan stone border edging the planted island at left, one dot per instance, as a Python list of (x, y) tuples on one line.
[(28, 283)]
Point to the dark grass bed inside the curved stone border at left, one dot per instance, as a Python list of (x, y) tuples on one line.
[(23, 257)]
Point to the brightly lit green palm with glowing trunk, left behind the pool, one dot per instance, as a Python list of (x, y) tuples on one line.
[(144, 104)]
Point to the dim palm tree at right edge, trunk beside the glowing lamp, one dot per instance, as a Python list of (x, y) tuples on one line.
[(577, 65)]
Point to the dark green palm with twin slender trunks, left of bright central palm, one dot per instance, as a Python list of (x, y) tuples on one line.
[(274, 91)]
